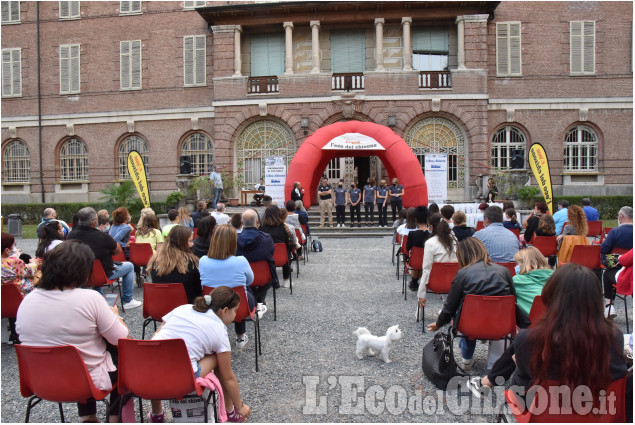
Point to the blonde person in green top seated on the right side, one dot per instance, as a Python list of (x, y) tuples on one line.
[(532, 272)]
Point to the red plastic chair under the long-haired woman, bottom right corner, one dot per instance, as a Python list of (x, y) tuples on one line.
[(542, 410)]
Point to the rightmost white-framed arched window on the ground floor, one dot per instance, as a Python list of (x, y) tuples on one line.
[(581, 149)]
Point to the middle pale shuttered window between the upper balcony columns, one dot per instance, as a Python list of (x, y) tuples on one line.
[(348, 51)]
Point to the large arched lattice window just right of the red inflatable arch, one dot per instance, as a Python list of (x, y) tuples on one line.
[(439, 135)]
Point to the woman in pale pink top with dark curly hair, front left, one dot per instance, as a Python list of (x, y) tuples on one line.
[(61, 313)]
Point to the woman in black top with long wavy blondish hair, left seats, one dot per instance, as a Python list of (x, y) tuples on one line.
[(174, 262)]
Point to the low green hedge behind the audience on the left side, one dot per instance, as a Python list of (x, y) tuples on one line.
[(32, 213)]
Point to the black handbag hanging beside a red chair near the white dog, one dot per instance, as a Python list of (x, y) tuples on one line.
[(438, 362)]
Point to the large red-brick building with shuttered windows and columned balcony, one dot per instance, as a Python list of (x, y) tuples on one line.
[(232, 82)]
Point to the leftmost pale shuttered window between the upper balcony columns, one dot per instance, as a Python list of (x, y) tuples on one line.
[(267, 55)]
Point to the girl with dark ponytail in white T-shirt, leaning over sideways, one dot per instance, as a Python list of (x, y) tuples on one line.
[(203, 328)]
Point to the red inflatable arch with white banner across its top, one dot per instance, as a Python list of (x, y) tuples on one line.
[(313, 156)]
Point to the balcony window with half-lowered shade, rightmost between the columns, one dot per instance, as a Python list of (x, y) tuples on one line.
[(430, 49)]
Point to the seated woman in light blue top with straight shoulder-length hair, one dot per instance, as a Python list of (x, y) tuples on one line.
[(221, 267)]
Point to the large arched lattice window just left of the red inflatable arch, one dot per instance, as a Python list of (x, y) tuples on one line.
[(258, 141)]
